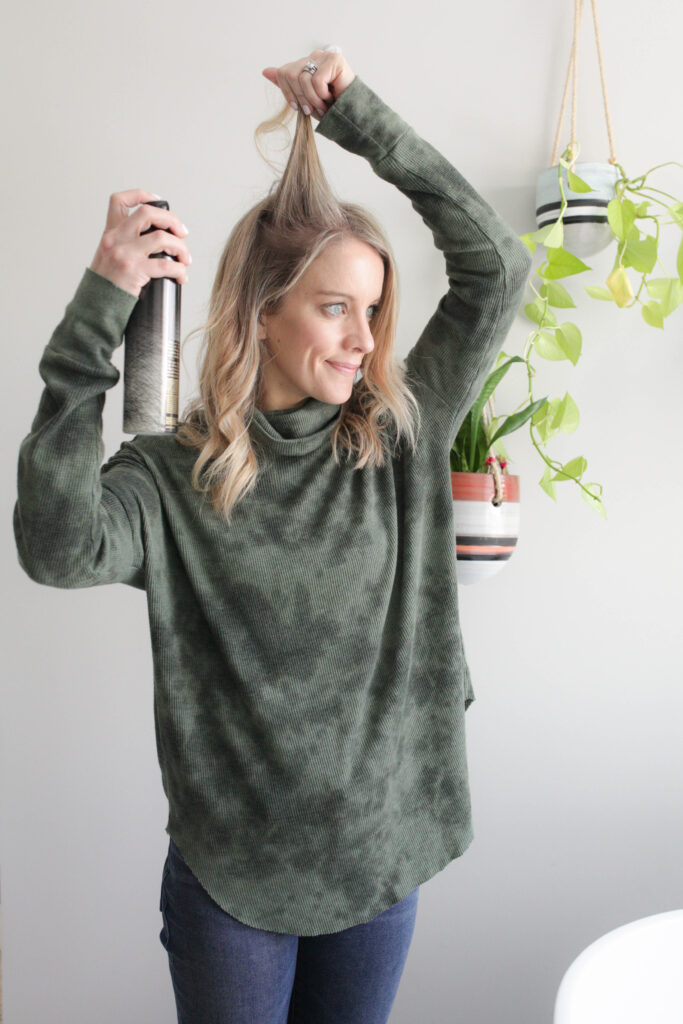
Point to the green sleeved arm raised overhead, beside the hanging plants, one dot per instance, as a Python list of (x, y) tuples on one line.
[(487, 265)]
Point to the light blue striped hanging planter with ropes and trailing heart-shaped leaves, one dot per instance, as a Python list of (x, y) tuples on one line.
[(582, 209)]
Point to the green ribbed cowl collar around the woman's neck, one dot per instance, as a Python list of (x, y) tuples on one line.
[(296, 431)]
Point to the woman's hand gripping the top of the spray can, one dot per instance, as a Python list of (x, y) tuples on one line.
[(123, 253)]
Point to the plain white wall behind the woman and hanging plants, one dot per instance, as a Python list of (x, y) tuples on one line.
[(575, 741)]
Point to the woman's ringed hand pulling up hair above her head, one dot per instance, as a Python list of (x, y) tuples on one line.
[(314, 94)]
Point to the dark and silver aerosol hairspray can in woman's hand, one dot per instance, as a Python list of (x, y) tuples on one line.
[(152, 355)]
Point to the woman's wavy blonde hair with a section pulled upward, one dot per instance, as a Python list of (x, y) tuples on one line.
[(269, 250)]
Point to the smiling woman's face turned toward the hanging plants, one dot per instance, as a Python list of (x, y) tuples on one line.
[(325, 320)]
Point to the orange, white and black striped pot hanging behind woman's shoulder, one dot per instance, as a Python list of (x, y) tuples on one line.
[(486, 508)]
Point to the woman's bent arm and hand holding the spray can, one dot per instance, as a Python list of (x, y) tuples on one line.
[(78, 524)]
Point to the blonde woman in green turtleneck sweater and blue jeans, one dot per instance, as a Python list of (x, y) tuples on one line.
[(296, 543)]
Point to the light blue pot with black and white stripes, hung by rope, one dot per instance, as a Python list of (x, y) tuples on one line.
[(586, 228)]
